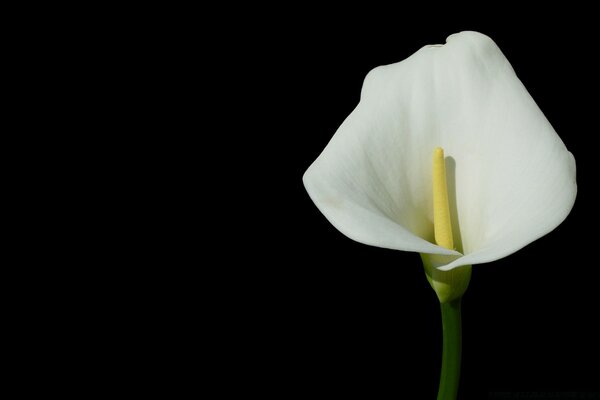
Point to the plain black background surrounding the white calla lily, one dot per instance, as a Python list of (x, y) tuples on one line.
[(285, 305)]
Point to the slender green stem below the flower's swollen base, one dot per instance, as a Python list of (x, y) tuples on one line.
[(452, 335)]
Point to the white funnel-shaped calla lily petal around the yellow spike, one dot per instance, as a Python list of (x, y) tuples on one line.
[(510, 178)]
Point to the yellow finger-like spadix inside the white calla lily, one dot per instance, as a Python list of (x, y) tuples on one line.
[(442, 227)]
